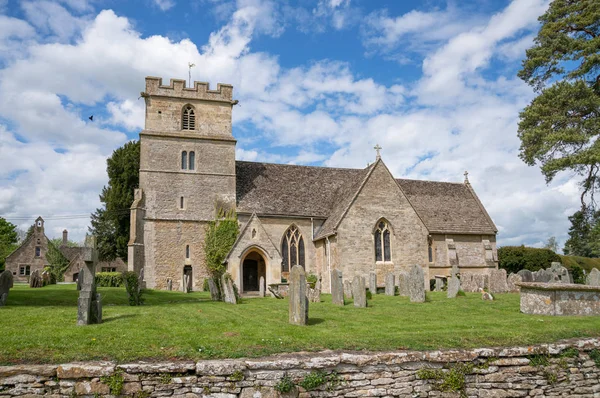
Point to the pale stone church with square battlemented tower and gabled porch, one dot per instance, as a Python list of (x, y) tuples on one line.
[(355, 220)]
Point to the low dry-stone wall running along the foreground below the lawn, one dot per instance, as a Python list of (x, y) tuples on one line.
[(570, 368)]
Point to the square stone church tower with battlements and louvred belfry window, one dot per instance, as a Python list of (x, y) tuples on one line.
[(187, 170)]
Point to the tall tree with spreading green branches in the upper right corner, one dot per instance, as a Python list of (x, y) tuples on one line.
[(559, 129)]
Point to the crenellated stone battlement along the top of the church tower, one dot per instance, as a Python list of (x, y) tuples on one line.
[(178, 89)]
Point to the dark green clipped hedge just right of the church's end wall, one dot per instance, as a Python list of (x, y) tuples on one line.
[(516, 258)]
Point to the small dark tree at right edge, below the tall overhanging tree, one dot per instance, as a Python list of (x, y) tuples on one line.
[(584, 234)]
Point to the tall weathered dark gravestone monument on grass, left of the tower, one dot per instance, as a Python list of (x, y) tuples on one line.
[(89, 304)]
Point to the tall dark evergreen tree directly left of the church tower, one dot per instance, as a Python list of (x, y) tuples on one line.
[(110, 224)]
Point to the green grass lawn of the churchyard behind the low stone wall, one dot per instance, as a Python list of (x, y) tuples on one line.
[(39, 326)]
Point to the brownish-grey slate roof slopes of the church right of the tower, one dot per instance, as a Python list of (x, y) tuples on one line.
[(323, 192)]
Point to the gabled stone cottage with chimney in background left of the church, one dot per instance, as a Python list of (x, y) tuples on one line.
[(31, 256)]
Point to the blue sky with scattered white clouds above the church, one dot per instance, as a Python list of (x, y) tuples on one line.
[(319, 82)]
